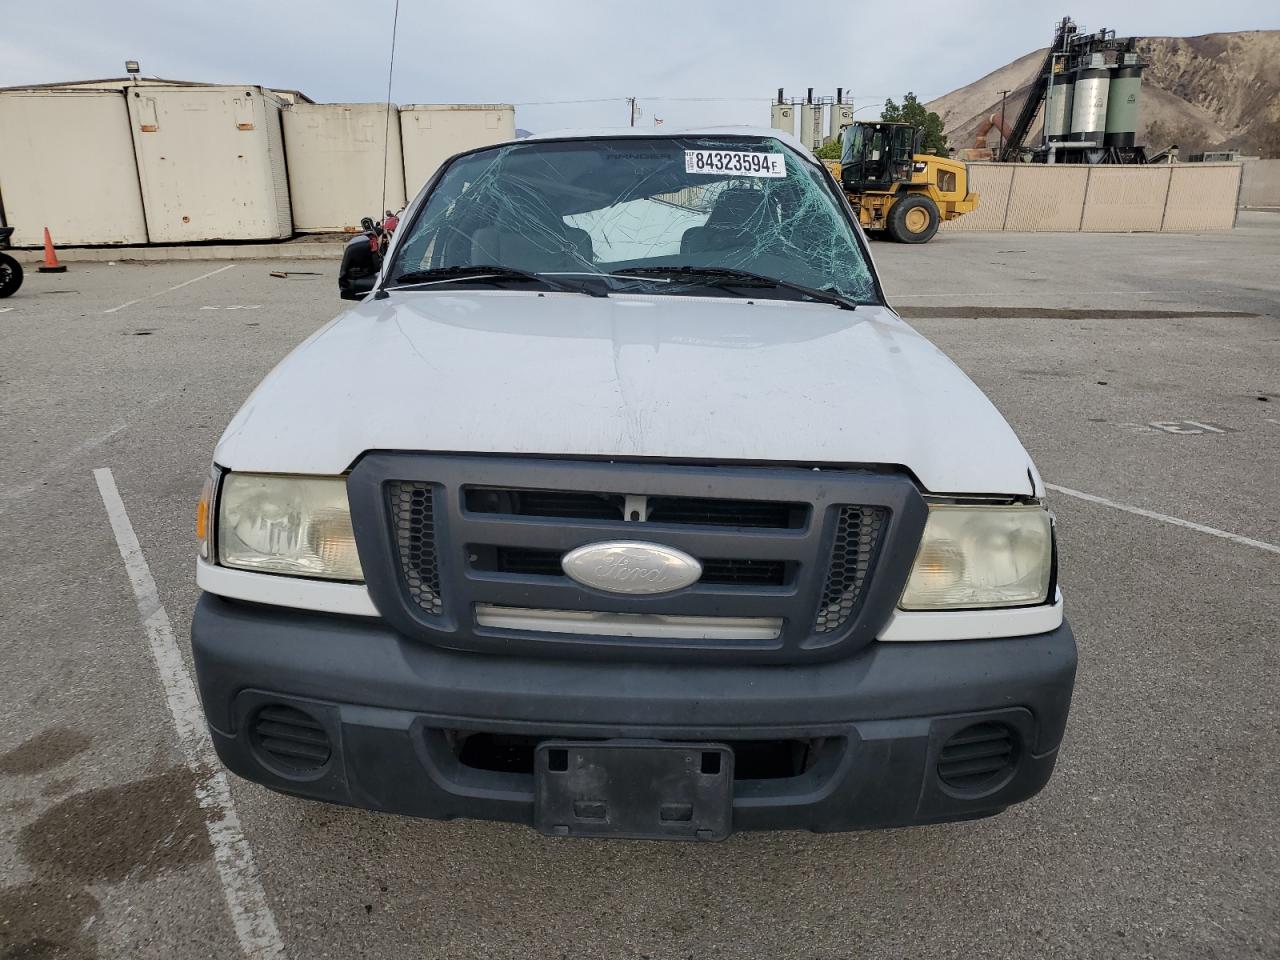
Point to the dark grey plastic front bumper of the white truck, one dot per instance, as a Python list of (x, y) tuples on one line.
[(392, 711)]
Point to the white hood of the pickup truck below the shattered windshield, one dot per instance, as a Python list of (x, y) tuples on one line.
[(666, 377)]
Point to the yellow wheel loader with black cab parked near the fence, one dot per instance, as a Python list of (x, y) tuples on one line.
[(897, 189)]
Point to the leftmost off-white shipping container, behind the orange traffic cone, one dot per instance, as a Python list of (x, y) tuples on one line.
[(67, 163)]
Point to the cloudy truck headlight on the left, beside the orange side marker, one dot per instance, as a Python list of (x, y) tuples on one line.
[(299, 525)]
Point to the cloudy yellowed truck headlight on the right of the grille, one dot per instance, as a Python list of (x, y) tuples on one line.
[(981, 557)]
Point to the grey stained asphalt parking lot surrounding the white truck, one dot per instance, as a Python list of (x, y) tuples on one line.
[(1142, 373)]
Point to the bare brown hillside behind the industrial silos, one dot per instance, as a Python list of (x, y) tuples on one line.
[(1220, 90)]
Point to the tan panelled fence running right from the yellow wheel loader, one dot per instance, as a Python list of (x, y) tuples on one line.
[(1071, 198)]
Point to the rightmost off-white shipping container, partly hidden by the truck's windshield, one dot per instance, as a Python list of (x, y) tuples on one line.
[(435, 132)]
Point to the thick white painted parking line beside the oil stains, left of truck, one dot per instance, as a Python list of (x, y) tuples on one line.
[(252, 916)]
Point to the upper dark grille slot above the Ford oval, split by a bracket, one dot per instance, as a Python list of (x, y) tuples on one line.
[(694, 511)]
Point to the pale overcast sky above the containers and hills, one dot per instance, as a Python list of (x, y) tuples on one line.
[(687, 61)]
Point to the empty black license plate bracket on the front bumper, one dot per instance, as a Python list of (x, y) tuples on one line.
[(642, 790)]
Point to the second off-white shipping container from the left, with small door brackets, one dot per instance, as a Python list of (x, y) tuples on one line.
[(212, 163)]
